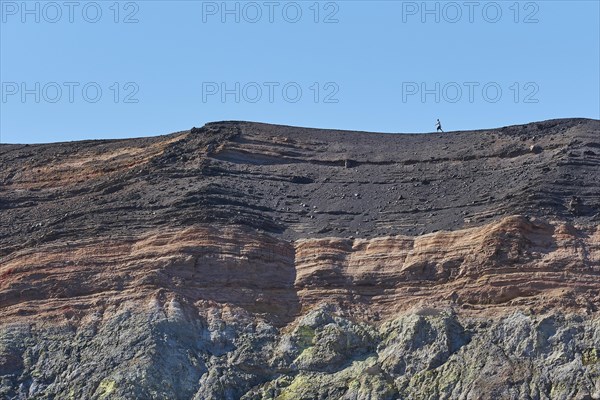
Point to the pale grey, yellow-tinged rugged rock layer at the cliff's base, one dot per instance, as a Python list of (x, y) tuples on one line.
[(166, 350)]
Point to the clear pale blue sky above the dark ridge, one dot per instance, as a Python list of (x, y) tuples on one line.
[(360, 65)]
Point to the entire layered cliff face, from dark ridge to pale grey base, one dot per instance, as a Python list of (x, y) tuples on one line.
[(245, 260)]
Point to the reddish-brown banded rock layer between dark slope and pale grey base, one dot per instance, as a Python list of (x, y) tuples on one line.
[(508, 263)]
